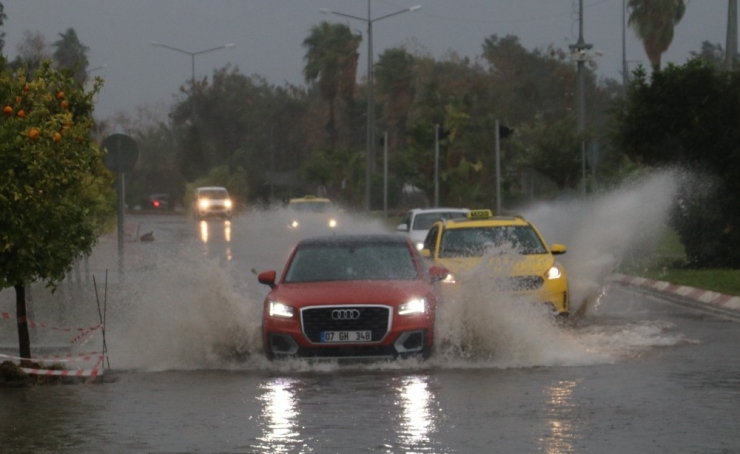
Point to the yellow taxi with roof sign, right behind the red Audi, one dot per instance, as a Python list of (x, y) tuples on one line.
[(518, 258)]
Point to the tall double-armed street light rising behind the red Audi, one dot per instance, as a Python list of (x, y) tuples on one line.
[(370, 152)]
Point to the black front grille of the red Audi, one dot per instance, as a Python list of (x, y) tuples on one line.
[(373, 318)]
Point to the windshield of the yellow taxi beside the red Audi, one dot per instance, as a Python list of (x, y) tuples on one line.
[(474, 242)]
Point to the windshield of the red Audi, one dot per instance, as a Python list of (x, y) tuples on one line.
[(351, 262)]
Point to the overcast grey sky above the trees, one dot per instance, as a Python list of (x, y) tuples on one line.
[(268, 35)]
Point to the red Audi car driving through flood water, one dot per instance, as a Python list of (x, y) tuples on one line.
[(351, 296)]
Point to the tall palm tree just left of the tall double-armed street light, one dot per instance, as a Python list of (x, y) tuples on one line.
[(331, 57)]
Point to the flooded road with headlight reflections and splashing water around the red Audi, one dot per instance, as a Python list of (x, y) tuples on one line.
[(631, 374)]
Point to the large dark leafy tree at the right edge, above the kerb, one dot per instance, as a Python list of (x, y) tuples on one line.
[(688, 116)]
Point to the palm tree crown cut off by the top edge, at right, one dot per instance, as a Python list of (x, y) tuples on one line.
[(654, 22)]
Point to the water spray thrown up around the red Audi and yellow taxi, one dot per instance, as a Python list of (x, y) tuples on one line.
[(192, 311)]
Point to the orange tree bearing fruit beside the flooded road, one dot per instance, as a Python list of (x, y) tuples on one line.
[(55, 193)]
